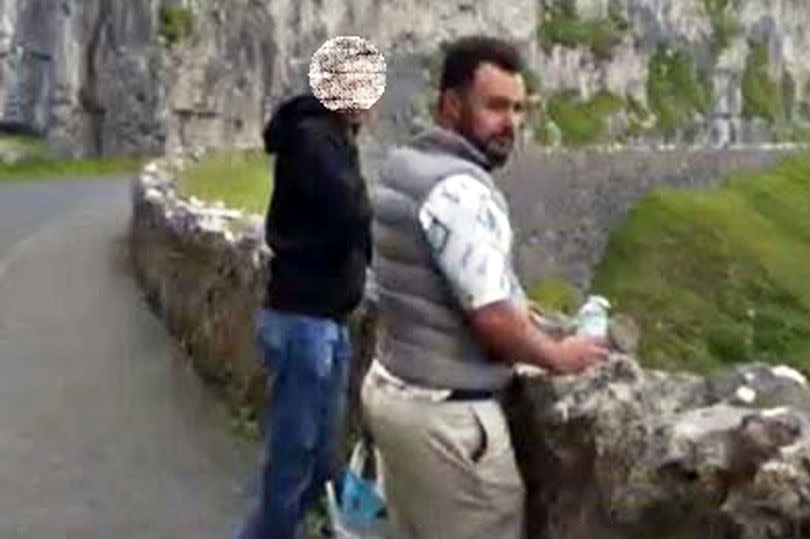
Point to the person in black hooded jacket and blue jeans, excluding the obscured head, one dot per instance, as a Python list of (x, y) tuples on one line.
[(318, 228)]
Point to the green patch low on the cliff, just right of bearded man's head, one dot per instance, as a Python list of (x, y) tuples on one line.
[(582, 122)]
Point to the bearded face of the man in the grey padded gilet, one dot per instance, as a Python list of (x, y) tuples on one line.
[(491, 111)]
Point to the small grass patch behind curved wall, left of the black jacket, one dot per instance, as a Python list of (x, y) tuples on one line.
[(239, 179)]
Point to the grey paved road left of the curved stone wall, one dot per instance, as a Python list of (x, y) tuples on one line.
[(104, 432)]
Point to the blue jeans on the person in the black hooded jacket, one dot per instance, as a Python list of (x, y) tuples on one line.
[(308, 359)]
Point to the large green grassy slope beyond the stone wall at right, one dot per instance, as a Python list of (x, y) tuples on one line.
[(717, 276)]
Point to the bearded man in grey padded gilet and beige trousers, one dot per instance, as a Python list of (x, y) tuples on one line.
[(454, 319)]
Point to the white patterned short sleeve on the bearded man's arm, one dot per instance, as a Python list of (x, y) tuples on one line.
[(471, 238)]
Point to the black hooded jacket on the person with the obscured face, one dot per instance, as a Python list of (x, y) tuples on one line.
[(319, 220)]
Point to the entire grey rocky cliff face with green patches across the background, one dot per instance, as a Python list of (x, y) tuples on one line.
[(127, 76)]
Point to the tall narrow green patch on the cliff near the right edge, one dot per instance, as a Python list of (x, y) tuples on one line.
[(762, 96)]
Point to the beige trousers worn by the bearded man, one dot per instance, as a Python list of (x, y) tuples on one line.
[(449, 469)]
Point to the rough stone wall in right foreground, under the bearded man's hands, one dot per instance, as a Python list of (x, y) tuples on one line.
[(621, 452)]
